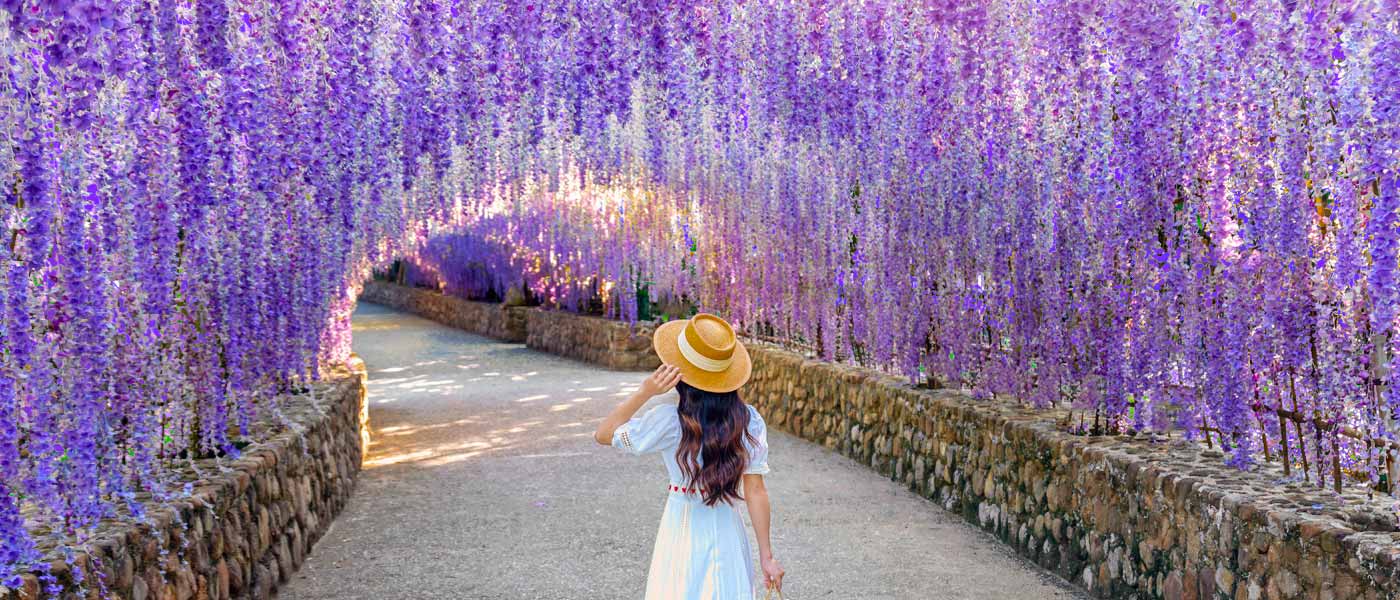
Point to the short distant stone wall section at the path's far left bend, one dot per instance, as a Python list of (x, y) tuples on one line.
[(488, 320)]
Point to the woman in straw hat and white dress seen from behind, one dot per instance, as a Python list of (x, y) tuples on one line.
[(709, 443)]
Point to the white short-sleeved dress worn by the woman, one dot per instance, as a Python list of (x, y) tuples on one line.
[(702, 552)]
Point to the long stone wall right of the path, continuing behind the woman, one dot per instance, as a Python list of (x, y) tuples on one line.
[(1133, 518)]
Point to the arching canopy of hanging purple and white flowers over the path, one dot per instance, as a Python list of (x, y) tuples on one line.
[(1174, 212)]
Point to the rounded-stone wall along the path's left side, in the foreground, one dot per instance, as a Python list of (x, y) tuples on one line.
[(246, 529)]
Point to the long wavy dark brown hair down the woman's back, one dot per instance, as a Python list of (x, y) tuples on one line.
[(712, 454)]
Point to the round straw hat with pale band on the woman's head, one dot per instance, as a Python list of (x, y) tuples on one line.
[(705, 348)]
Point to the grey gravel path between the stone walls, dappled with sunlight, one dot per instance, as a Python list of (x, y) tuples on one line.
[(484, 482)]
